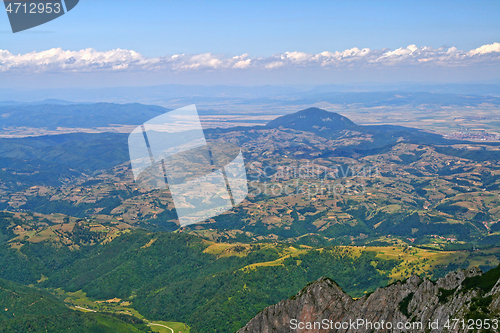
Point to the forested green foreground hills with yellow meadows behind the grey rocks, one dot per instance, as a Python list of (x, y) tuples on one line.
[(184, 278)]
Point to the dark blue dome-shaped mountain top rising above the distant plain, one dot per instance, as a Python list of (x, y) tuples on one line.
[(313, 120)]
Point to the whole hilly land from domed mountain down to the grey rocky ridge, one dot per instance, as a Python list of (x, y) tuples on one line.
[(366, 206)]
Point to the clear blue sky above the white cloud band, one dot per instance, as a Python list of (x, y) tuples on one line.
[(159, 28)]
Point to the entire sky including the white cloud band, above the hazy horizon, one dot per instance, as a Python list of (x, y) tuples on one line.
[(255, 42)]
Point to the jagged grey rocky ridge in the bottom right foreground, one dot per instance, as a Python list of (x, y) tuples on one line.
[(465, 294)]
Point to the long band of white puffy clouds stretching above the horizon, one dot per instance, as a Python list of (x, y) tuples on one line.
[(89, 60)]
